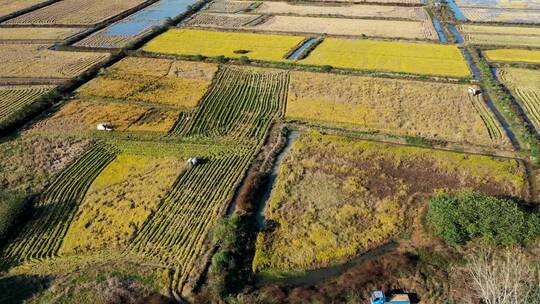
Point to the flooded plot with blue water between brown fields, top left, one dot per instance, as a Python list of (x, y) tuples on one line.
[(130, 29)]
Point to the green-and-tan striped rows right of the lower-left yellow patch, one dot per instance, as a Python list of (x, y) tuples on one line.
[(176, 233)]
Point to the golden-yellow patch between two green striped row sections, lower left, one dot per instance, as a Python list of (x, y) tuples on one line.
[(119, 201)]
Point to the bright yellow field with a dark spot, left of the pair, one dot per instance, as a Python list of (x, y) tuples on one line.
[(212, 44)]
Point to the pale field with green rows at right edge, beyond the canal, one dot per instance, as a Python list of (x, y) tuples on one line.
[(525, 86)]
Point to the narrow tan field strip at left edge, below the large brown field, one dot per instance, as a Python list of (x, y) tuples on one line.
[(28, 34)]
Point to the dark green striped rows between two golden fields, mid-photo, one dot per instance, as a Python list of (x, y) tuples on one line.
[(241, 105)]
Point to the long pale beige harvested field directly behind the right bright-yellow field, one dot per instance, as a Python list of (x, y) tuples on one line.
[(351, 27)]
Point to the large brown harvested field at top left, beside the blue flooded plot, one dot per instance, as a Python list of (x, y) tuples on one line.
[(75, 12)]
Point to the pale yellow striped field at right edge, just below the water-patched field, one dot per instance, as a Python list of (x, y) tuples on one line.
[(502, 35)]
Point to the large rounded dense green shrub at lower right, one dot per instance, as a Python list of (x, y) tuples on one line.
[(463, 216)]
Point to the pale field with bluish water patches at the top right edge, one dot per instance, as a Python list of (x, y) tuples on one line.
[(501, 15)]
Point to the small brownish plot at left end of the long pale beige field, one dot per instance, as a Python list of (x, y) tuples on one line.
[(220, 20)]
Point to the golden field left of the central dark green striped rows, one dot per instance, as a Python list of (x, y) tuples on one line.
[(179, 84)]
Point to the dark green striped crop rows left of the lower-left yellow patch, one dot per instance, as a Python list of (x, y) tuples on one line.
[(53, 211)]
